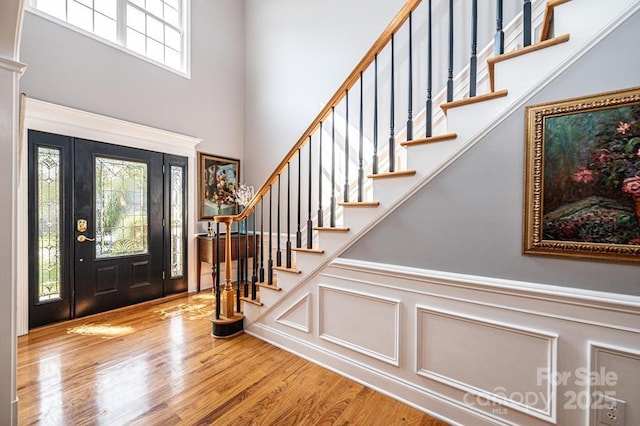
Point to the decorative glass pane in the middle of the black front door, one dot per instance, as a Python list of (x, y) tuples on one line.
[(121, 208)]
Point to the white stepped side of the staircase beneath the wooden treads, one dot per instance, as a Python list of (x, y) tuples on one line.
[(431, 159)]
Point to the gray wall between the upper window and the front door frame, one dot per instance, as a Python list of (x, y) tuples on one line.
[(70, 69)]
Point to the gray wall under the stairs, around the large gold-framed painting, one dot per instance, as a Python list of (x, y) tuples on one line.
[(469, 218)]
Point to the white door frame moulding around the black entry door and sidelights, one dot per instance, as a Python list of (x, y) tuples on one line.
[(52, 118)]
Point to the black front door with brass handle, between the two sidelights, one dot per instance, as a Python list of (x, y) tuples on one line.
[(118, 215)]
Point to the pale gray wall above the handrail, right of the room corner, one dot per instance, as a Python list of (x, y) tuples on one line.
[(297, 55)]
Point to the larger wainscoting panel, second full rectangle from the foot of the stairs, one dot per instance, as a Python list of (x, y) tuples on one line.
[(496, 361)]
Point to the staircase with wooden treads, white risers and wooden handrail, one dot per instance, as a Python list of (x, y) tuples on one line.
[(460, 129)]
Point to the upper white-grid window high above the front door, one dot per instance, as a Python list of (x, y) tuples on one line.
[(152, 28)]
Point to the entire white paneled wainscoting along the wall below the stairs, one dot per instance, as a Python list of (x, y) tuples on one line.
[(470, 350)]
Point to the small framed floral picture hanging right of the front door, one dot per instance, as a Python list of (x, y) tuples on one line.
[(217, 182)]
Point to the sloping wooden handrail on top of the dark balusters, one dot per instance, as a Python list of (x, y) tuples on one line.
[(350, 81)]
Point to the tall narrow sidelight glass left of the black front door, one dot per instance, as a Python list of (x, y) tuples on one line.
[(49, 215)]
